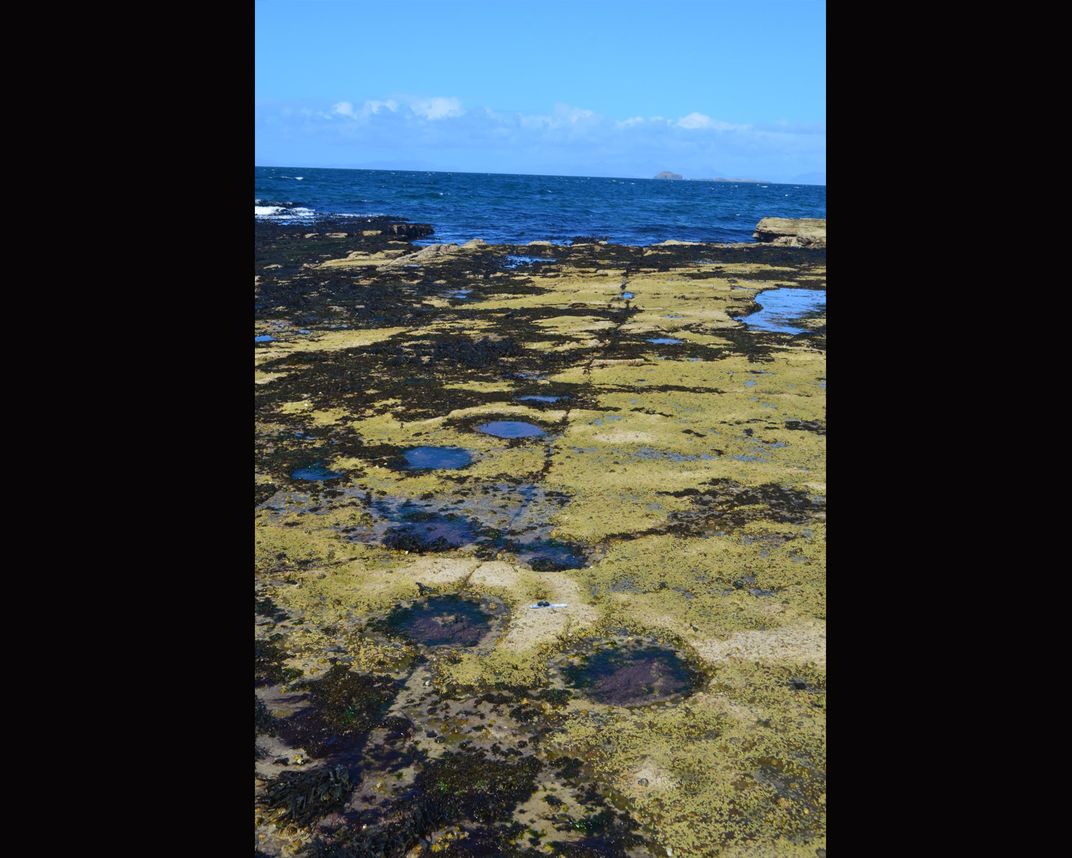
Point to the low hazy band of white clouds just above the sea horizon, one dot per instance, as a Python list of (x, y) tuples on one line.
[(410, 129)]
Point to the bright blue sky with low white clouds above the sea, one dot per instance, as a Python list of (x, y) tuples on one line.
[(705, 88)]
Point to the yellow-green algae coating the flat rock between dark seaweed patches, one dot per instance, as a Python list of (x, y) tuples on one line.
[(739, 767)]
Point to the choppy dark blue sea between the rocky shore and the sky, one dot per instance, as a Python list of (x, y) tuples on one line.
[(517, 210)]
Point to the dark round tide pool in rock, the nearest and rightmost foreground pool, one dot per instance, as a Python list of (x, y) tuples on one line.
[(632, 673)]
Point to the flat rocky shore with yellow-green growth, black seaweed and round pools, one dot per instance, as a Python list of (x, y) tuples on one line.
[(541, 540)]
